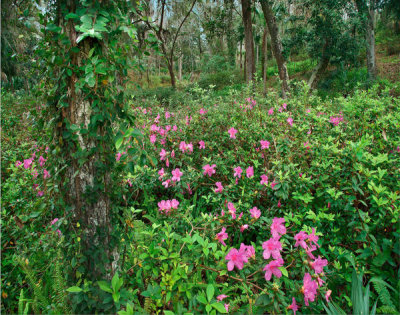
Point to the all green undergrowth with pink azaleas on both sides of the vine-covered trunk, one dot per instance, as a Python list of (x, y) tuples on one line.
[(240, 204)]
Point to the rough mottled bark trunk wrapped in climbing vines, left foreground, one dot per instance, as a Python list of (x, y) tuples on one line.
[(88, 185)]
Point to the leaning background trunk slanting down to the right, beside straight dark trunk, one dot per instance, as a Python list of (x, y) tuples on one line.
[(276, 44)]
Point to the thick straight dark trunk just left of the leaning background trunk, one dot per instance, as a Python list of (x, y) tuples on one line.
[(248, 40)]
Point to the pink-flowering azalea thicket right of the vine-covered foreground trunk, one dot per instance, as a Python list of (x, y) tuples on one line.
[(218, 176)]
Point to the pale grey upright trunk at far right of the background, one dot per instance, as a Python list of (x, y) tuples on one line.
[(370, 39)]
